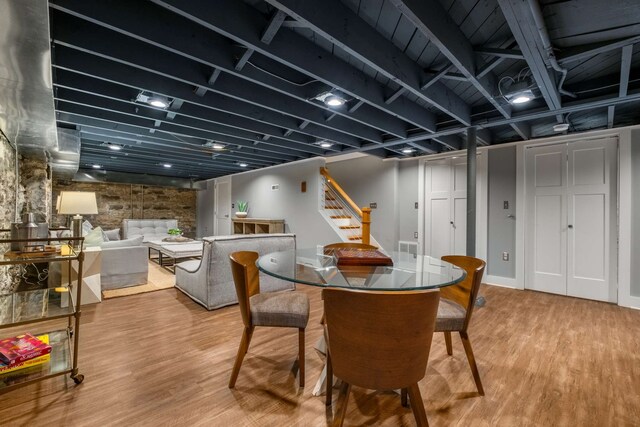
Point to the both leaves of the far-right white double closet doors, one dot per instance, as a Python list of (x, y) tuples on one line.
[(570, 234)]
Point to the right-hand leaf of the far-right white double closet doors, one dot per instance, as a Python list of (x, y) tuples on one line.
[(591, 233)]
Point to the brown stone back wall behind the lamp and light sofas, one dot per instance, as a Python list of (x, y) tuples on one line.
[(123, 201)]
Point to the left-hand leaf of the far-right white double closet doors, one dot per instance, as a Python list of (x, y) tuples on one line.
[(546, 228)]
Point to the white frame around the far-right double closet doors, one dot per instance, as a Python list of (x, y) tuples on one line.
[(521, 212)]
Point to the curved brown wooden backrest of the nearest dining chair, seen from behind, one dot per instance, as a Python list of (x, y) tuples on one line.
[(380, 340)]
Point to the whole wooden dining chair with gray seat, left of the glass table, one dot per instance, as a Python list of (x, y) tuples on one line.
[(277, 309)]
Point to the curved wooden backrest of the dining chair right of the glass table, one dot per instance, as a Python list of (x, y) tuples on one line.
[(466, 291)]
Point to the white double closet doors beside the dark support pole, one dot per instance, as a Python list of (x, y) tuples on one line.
[(446, 207)]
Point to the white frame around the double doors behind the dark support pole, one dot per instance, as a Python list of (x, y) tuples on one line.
[(482, 198)]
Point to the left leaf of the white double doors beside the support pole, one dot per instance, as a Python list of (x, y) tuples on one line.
[(438, 212)]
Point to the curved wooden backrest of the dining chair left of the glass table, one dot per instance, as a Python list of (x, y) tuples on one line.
[(246, 279)]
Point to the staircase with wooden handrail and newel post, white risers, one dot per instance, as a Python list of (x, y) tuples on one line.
[(348, 220)]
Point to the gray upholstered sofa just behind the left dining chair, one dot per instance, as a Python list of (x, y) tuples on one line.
[(209, 281)]
